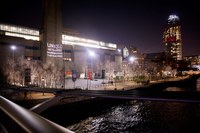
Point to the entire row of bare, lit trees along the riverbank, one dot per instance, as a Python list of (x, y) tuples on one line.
[(50, 75)]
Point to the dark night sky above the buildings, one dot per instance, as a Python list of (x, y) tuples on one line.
[(137, 23)]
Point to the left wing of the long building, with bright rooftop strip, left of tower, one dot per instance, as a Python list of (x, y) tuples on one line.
[(26, 40)]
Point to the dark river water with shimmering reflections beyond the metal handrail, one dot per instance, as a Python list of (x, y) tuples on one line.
[(127, 116)]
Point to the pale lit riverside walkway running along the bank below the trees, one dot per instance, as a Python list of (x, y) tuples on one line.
[(80, 83)]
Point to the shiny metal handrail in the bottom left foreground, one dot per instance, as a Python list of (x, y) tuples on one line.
[(30, 121)]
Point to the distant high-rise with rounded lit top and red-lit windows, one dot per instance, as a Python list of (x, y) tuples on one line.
[(172, 38)]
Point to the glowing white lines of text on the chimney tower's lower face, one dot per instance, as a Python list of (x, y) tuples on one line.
[(54, 50)]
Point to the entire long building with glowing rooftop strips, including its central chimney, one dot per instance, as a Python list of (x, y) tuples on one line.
[(56, 45)]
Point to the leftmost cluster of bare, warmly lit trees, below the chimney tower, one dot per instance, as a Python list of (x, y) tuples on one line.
[(44, 75)]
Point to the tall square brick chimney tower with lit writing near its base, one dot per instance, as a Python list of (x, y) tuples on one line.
[(51, 33)]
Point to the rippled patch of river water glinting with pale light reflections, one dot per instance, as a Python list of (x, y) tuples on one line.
[(116, 119)]
